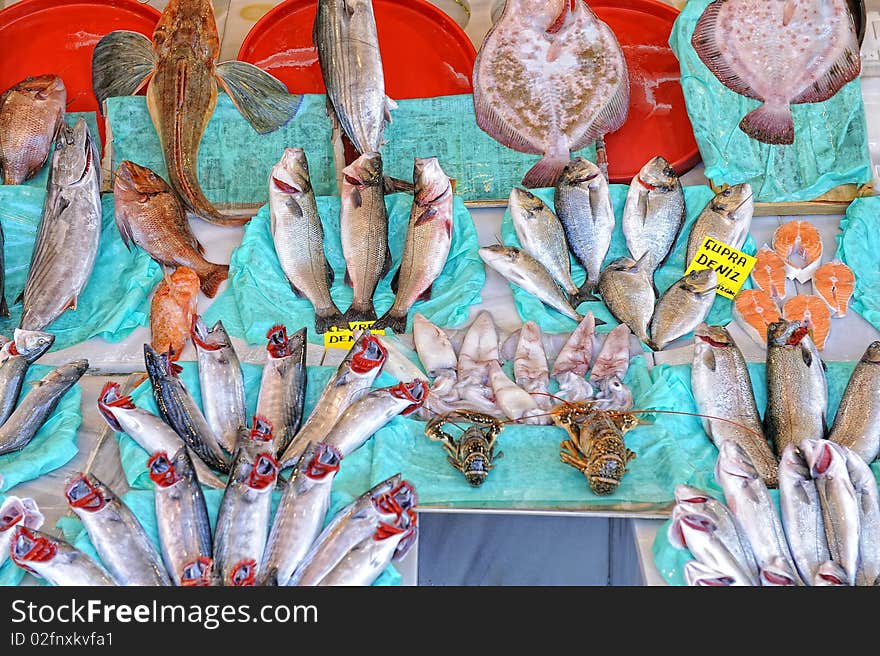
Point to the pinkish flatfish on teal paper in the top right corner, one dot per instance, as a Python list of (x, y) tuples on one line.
[(779, 52)]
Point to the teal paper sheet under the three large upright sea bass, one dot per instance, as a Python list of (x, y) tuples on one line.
[(260, 291)]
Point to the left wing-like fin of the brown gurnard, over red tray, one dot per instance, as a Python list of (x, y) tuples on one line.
[(122, 63)]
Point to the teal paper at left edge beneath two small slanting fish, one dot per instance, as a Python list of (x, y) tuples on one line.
[(54, 444)]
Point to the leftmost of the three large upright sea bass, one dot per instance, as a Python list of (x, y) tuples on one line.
[(298, 237)]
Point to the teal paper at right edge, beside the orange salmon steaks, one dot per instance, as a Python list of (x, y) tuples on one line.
[(858, 246)]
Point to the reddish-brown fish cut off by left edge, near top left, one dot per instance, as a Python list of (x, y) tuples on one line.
[(30, 114)]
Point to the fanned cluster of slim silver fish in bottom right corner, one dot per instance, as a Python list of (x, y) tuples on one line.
[(825, 532)]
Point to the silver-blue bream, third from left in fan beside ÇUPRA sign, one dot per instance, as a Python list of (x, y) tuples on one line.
[(583, 204)]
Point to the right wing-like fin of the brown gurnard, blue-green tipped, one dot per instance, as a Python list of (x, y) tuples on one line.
[(262, 99)]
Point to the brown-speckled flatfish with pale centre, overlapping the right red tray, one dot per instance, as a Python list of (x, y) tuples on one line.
[(550, 78)]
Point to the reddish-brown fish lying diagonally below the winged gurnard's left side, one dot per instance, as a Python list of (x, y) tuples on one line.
[(149, 214)]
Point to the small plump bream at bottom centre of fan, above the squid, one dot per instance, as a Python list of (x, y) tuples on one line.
[(628, 292)]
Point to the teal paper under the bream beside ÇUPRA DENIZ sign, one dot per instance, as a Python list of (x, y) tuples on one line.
[(696, 199)]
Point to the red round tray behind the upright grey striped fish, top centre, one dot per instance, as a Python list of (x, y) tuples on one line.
[(424, 52)]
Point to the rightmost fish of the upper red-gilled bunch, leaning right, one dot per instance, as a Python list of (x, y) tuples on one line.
[(363, 418)]
